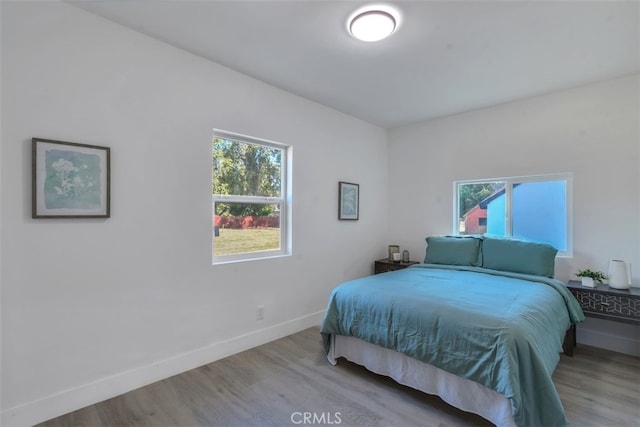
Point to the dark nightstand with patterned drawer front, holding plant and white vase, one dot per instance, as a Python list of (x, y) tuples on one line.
[(603, 302)]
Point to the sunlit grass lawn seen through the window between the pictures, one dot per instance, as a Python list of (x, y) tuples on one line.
[(233, 241)]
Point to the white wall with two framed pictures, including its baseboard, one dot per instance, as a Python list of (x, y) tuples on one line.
[(92, 308)]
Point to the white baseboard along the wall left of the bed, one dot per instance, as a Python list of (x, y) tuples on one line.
[(79, 397)]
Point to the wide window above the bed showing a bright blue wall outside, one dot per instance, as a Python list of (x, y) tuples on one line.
[(534, 208)]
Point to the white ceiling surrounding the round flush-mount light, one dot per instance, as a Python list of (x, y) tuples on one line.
[(447, 56)]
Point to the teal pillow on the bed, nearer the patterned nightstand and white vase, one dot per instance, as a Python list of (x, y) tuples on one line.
[(518, 256)]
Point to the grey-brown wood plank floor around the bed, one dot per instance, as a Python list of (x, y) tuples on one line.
[(277, 383)]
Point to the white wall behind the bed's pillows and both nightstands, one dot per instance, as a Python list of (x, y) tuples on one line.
[(591, 131)]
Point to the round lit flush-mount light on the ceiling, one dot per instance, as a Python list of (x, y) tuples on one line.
[(373, 23)]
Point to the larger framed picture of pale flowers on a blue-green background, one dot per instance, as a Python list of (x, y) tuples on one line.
[(70, 180)]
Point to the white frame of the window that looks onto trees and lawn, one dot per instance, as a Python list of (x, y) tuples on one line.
[(285, 201)]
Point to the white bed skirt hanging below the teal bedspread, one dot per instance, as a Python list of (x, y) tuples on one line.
[(462, 393)]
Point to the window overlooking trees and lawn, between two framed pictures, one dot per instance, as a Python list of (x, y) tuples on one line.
[(250, 197)]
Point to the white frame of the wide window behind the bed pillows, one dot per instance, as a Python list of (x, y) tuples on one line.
[(509, 183)]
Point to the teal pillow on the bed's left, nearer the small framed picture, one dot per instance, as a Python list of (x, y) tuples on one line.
[(453, 250)]
